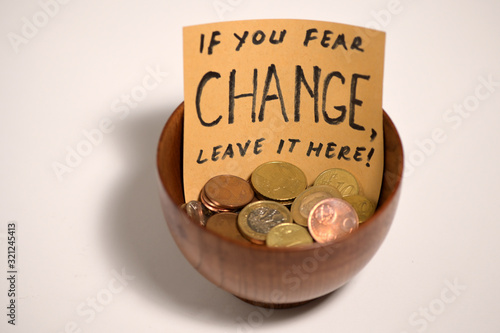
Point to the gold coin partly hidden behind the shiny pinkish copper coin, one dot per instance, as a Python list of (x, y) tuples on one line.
[(306, 200)]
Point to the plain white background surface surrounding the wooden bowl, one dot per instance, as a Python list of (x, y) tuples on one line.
[(103, 218)]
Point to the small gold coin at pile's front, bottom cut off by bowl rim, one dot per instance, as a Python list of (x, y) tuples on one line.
[(288, 234)]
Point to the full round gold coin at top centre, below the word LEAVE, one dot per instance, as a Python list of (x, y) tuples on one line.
[(280, 181)]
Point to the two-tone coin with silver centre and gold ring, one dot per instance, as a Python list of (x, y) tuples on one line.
[(256, 219)]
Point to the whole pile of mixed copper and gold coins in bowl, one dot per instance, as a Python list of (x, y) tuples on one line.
[(276, 208)]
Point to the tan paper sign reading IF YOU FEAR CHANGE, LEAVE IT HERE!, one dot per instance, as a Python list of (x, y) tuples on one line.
[(304, 92)]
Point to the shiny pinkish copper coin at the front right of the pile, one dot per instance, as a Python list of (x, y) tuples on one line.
[(332, 219)]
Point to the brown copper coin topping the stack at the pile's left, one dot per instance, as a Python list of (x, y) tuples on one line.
[(228, 192)]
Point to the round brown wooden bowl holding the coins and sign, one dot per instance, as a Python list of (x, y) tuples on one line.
[(274, 277)]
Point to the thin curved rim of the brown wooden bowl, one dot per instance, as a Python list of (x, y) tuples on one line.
[(309, 247)]
